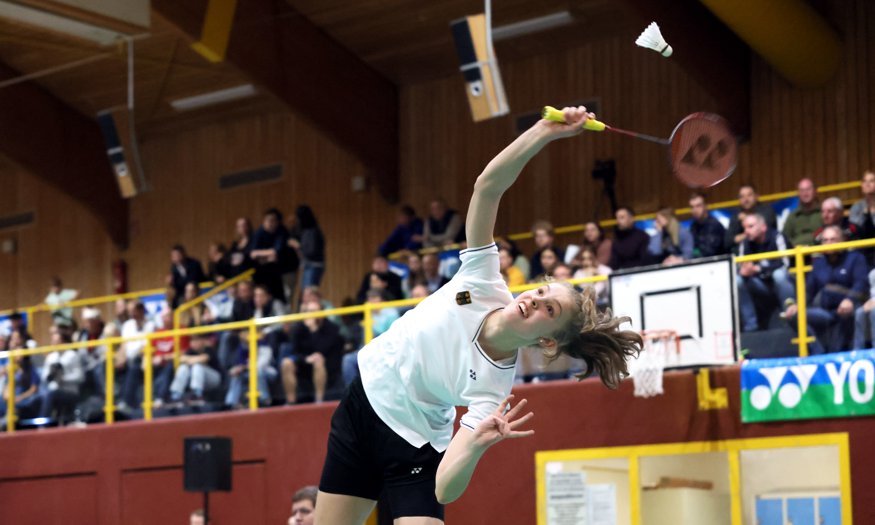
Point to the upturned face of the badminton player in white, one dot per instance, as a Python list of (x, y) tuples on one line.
[(540, 312)]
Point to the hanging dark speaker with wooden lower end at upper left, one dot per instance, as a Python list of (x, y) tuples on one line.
[(121, 148)]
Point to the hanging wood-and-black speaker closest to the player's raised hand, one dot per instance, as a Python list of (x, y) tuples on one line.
[(483, 85)]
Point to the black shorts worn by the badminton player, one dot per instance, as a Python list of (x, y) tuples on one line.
[(368, 459)]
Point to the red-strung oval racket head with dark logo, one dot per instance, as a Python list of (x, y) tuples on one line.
[(703, 149)]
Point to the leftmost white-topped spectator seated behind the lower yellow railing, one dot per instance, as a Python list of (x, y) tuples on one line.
[(63, 376)]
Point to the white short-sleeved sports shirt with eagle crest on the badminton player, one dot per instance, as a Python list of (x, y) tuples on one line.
[(429, 361)]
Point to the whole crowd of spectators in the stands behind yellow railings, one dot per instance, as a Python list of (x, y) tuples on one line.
[(313, 360)]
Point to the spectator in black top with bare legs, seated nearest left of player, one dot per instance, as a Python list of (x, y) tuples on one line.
[(312, 356)]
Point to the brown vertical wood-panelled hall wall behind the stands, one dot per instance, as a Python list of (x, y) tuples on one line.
[(827, 134)]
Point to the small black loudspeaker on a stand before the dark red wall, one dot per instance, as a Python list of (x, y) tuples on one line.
[(207, 464)]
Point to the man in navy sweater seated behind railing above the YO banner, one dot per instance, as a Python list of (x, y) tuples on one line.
[(835, 287)]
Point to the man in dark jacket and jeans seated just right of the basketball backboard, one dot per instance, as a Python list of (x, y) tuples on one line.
[(762, 285)]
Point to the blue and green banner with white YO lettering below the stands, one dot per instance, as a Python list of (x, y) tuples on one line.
[(831, 385)]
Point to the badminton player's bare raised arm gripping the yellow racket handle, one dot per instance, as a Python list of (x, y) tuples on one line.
[(504, 169)]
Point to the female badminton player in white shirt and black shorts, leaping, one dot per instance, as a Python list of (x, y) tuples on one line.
[(392, 433)]
